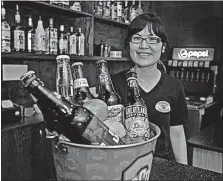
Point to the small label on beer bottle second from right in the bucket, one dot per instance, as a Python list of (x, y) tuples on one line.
[(115, 112)]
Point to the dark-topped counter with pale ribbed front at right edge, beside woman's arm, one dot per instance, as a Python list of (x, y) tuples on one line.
[(207, 147)]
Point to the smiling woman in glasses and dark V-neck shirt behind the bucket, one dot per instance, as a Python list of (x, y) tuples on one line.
[(162, 93)]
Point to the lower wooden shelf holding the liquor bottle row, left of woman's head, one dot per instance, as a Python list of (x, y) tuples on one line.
[(42, 57)]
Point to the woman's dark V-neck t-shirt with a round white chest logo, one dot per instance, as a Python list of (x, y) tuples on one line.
[(168, 90)]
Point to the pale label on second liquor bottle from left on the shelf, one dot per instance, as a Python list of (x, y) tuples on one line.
[(19, 40)]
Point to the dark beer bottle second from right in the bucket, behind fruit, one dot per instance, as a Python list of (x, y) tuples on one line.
[(107, 93)]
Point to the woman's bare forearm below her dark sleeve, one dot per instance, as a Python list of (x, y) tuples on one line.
[(178, 141)]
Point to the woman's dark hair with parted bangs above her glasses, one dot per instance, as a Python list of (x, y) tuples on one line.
[(139, 23)]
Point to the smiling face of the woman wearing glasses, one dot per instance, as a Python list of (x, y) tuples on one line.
[(145, 54)]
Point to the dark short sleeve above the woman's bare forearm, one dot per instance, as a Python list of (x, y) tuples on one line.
[(179, 111)]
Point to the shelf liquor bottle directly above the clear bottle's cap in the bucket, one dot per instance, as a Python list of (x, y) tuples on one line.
[(63, 45)]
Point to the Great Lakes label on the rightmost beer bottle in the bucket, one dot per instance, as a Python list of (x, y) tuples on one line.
[(135, 120)]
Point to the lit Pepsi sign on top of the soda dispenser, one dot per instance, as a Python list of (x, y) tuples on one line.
[(193, 54)]
